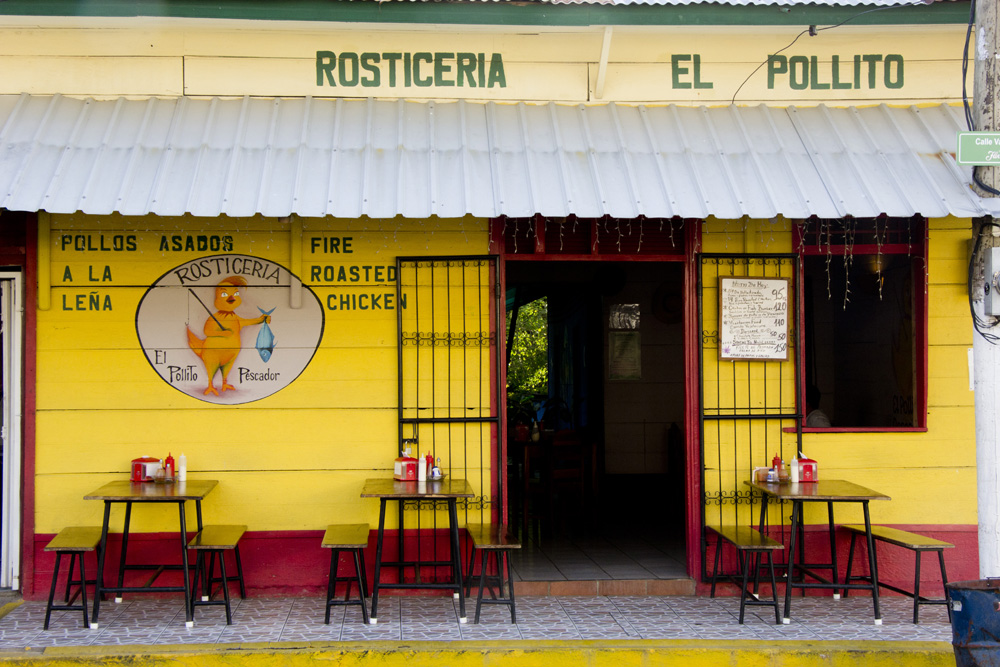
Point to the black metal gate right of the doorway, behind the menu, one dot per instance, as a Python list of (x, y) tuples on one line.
[(749, 409)]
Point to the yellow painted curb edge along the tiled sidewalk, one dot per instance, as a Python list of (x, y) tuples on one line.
[(592, 653)]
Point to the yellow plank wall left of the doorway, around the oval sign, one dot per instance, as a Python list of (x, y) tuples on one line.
[(293, 461)]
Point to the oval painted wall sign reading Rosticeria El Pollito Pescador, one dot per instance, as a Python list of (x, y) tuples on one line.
[(229, 329)]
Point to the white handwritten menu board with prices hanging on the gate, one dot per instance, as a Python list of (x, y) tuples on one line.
[(753, 318)]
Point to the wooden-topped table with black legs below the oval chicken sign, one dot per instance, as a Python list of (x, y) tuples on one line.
[(147, 492)]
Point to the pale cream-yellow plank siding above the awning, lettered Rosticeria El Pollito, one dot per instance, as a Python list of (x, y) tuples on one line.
[(681, 64)]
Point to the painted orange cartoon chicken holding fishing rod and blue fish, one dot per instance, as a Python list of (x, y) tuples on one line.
[(222, 342)]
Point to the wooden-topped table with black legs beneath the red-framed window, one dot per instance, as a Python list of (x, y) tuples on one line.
[(829, 491)]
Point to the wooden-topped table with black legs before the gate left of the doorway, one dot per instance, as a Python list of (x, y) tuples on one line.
[(449, 490)]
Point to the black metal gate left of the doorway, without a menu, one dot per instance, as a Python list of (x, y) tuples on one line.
[(449, 372)]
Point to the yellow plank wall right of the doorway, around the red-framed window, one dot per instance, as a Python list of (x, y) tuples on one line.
[(931, 476)]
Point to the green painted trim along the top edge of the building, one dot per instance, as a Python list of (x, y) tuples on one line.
[(488, 12)]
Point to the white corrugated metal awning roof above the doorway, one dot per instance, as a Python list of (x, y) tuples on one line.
[(352, 158)]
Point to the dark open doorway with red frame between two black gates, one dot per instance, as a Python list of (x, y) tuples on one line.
[(595, 416)]
